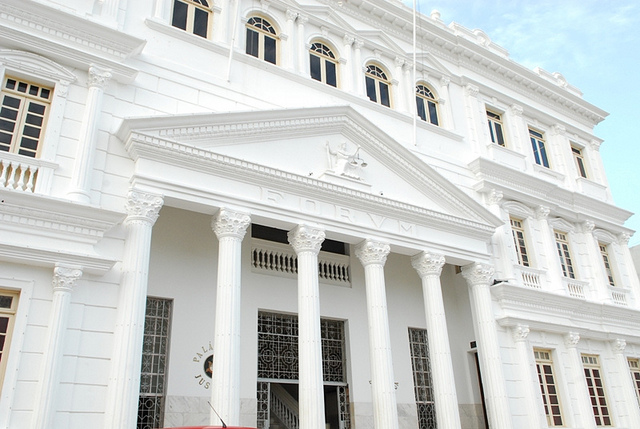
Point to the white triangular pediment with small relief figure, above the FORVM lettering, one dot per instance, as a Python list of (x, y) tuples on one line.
[(291, 150)]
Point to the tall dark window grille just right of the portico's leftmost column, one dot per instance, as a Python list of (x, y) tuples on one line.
[(157, 328)]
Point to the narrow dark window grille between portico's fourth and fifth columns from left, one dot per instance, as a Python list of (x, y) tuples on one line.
[(423, 386)]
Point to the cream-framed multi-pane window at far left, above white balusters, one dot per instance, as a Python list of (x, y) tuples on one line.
[(23, 115)]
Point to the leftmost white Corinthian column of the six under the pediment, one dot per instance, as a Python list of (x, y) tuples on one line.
[(124, 382)]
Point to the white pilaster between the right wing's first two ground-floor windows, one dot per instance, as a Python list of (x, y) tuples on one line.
[(577, 383)]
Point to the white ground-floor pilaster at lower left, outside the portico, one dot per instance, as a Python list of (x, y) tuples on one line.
[(64, 279)]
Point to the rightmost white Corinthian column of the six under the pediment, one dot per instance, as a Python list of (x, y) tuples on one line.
[(479, 277)]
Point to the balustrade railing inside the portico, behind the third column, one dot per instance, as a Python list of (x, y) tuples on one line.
[(280, 259)]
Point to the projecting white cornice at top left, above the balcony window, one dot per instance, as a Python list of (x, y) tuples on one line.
[(52, 32)]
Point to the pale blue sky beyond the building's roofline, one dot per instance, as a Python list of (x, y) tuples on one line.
[(595, 45)]
